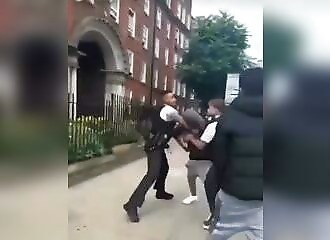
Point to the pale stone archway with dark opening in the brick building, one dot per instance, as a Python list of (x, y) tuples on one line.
[(103, 65)]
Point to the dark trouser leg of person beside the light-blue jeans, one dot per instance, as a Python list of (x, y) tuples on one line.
[(212, 187)]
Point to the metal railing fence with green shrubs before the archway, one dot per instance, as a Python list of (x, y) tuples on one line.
[(95, 133)]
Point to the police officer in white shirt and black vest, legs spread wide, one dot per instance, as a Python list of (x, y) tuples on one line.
[(162, 130)]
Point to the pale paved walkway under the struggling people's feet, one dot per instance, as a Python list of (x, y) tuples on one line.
[(95, 206)]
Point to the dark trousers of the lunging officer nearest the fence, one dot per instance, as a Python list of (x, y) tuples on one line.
[(157, 172)]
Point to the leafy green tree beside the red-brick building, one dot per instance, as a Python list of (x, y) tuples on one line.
[(216, 48)]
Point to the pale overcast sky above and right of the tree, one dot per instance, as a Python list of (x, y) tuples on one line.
[(250, 14)]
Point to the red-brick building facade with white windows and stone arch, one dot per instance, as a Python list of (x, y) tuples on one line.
[(127, 47)]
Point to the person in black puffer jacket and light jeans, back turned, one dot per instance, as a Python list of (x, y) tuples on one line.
[(238, 160)]
